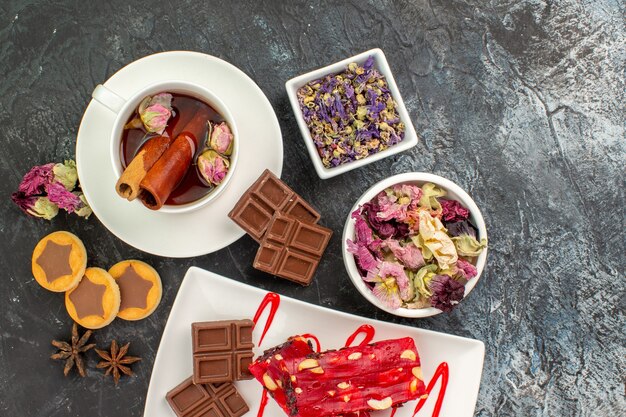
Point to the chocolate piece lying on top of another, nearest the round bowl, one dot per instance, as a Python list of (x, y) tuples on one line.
[(291, 248)]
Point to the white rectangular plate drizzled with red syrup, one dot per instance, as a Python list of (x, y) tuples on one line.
[(205, 296)]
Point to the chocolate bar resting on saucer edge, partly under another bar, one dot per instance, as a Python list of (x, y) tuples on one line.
[(268, 195)]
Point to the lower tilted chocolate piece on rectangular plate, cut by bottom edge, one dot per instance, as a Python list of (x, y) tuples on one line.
[(211, 400)]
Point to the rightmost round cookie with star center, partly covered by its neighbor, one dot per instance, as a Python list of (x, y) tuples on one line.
[(140, 288)]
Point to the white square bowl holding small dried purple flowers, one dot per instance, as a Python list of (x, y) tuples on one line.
[(380, 63)]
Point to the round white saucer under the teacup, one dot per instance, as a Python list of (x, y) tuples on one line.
[(207, 229)]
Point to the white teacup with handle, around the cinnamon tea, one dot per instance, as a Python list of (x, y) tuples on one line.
[(124, 108)]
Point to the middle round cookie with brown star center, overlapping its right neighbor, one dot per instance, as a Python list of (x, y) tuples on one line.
[(95, 301)]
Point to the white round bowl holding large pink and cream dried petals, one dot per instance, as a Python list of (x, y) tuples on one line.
[(415, 178)]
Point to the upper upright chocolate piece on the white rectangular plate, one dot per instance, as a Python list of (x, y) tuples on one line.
[(222, 351)]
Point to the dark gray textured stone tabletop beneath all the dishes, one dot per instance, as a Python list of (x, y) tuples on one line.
[(519, 102)]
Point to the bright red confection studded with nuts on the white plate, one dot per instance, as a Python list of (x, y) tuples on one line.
[(357, 379)]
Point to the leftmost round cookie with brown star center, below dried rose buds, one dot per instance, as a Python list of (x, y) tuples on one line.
[(59, 261)]
